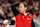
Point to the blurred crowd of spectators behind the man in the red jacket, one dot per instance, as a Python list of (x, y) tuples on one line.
[(33, 8)]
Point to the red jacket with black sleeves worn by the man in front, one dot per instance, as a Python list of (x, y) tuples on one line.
[(21, 19)]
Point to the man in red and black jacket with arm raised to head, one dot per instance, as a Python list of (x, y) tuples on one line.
[(22, 18)]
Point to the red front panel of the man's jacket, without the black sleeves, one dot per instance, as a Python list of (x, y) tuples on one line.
[(23, 23)]
